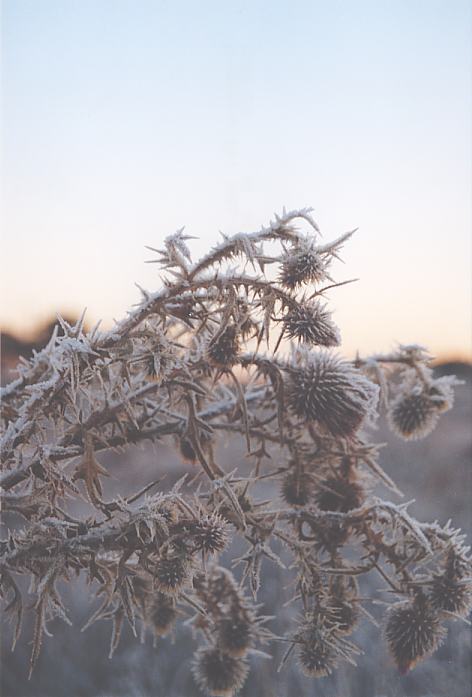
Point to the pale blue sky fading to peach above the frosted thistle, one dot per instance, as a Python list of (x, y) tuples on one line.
[(123, 120)]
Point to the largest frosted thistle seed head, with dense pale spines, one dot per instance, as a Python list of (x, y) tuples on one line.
[(325, 389)]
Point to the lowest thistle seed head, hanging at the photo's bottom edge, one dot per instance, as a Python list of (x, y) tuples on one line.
[(218, 673)]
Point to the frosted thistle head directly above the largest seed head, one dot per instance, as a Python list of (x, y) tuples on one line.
[(312, 324)]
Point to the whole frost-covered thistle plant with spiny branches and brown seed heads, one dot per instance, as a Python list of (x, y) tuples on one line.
[(228, 350)]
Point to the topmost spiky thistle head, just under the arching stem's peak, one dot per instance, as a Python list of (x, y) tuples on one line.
[(303, 264)]
